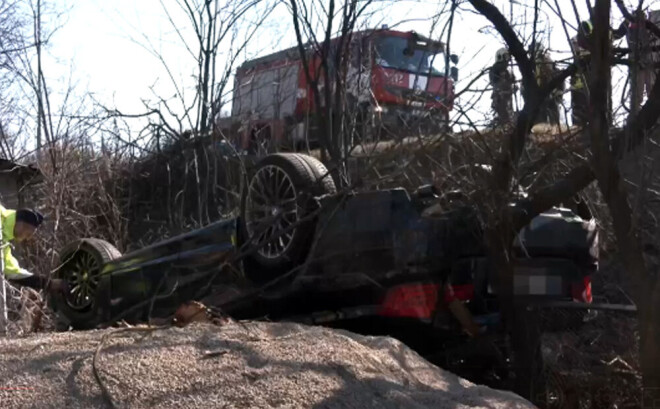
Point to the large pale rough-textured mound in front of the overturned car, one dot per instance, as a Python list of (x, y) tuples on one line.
[(240, 365)]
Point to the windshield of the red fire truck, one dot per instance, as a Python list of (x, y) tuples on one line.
[(392, 52)]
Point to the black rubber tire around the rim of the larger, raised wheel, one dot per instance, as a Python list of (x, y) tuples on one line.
[(310, 179)]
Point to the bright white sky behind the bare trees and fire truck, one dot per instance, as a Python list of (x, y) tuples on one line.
[(107, 47)]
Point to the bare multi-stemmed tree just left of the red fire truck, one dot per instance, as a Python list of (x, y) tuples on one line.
[(214, 35)]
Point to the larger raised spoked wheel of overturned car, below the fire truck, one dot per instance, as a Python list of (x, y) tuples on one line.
[(276, 210)]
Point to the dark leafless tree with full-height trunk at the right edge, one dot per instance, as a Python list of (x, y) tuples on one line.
[(608, 171)]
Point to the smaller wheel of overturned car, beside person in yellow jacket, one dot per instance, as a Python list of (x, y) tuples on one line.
[(80, 265)]
